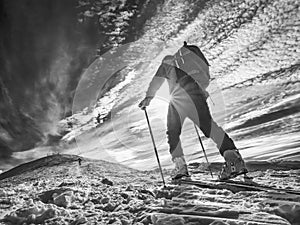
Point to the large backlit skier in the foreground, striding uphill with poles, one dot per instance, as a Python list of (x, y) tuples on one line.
[(188, 100)]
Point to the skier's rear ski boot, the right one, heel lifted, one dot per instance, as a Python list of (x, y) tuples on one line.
[(234, 165)]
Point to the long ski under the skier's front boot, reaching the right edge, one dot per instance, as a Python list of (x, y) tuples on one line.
[(234, 186)]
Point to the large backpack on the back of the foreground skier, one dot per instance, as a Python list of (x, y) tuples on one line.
[(191, 60)]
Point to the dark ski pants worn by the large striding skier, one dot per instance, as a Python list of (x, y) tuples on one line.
[(190, 103)]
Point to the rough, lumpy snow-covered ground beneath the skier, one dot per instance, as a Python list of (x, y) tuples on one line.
[(57, 190)]
